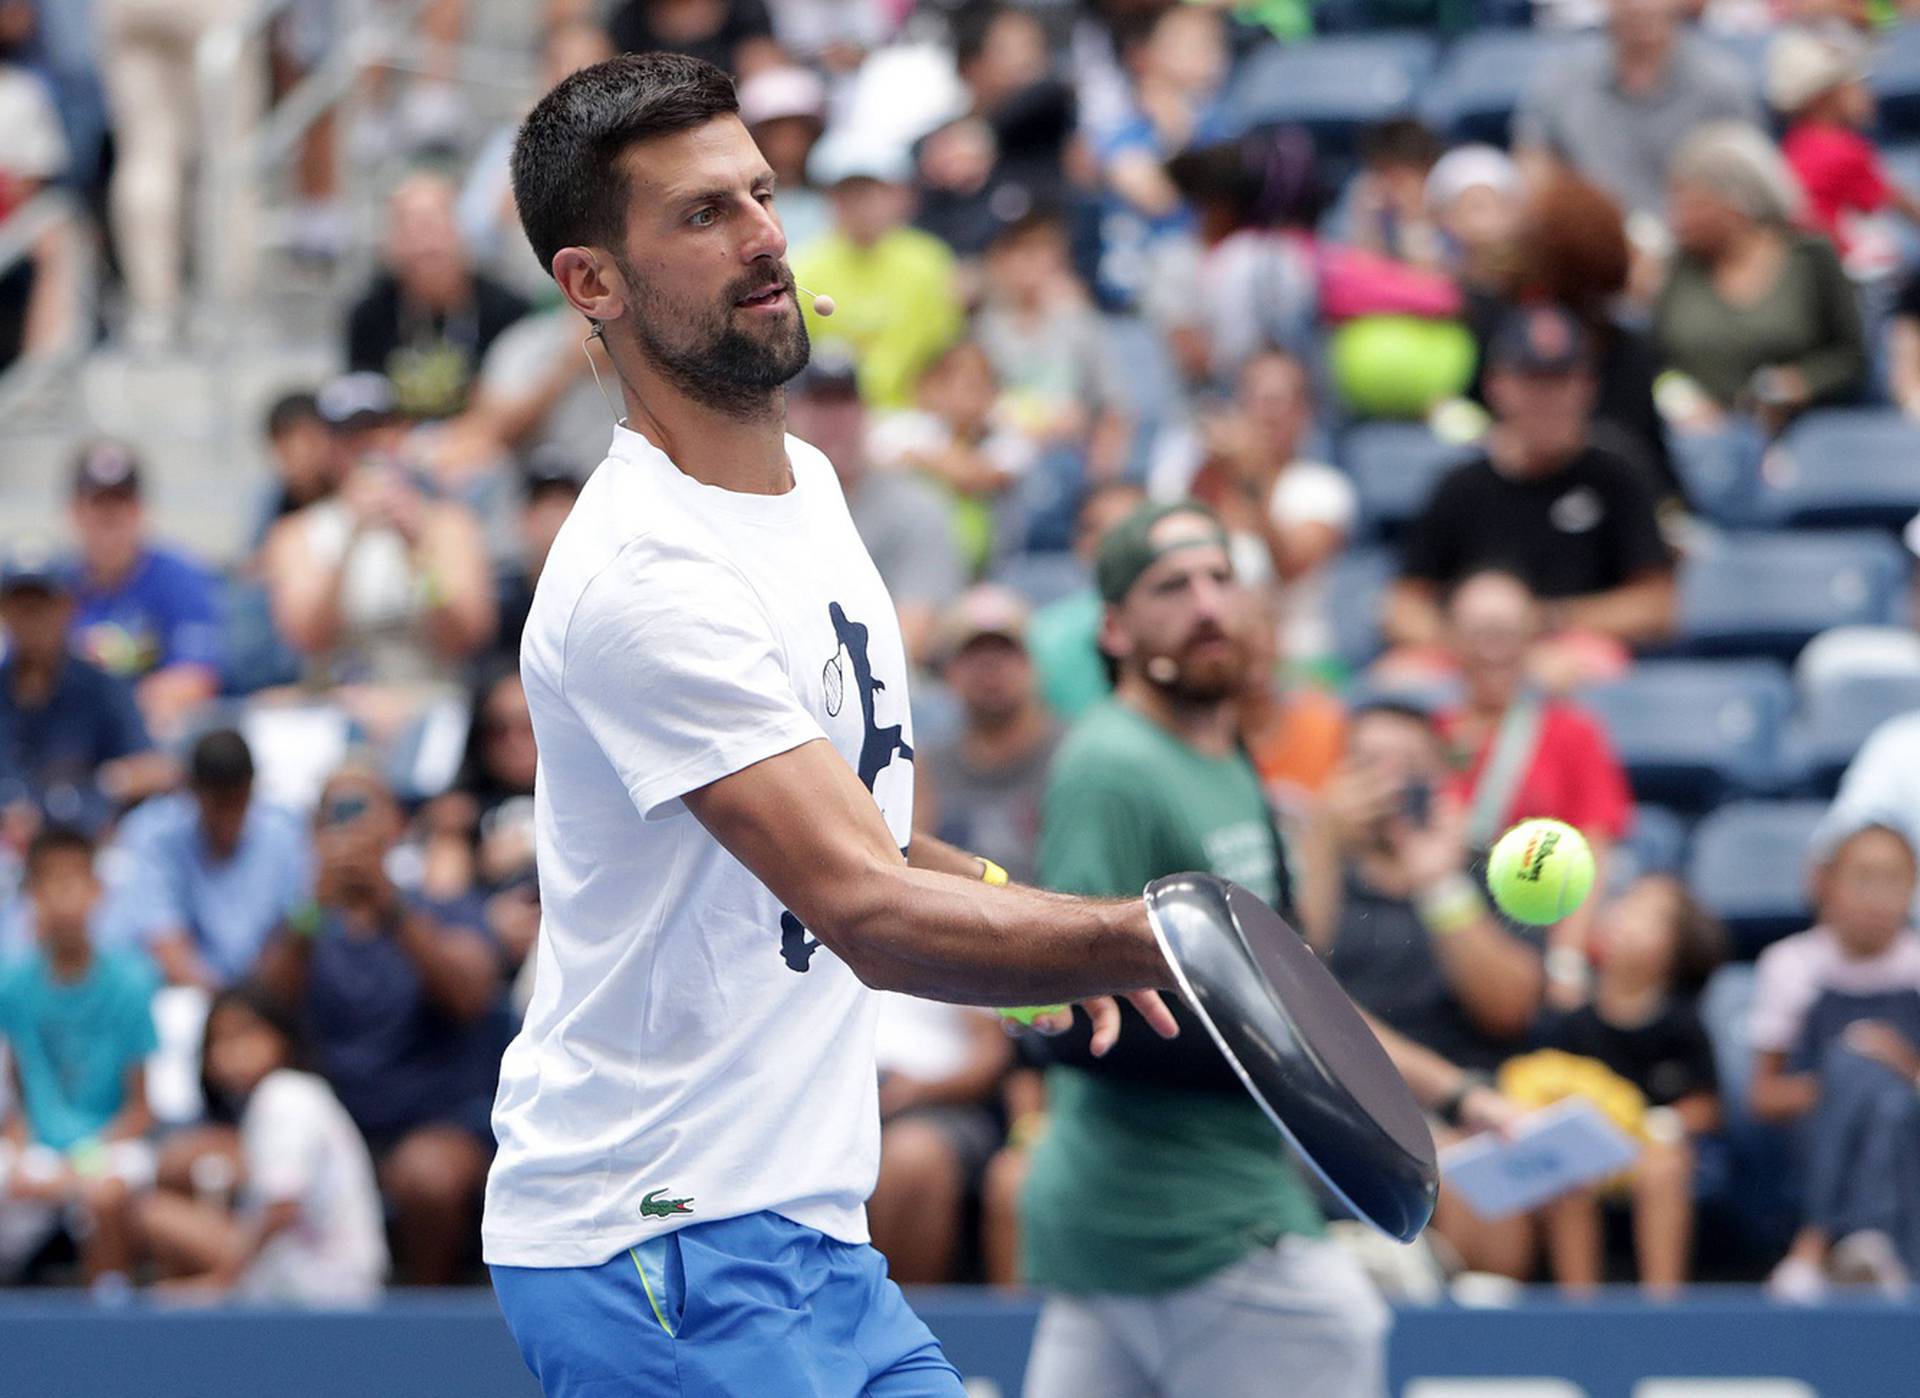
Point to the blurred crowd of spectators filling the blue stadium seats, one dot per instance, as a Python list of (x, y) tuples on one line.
[(1502, 425)]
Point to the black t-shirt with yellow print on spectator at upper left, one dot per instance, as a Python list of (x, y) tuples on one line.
[(431, 358)]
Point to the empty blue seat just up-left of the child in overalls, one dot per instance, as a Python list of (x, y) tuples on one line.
[(1750, 867)]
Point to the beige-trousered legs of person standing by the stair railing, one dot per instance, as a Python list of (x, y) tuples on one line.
[(151, 80)]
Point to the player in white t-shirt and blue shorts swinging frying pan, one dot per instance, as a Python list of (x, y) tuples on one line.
[(688, 1122)]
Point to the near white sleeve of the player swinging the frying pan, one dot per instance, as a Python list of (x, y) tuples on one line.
[(673, 665)]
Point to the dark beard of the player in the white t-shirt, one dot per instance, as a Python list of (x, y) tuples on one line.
[(708, 358)]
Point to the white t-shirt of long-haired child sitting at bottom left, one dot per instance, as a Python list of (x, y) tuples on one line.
[(300, 1145)]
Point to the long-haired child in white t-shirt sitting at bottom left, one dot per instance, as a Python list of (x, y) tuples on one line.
[(306, 1228)]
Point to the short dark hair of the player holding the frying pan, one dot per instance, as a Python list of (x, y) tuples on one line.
[(567, 178)]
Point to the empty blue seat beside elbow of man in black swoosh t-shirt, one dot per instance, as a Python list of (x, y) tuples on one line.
[(1769, 594)]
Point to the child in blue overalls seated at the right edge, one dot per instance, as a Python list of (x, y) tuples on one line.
[(1836, 1023)]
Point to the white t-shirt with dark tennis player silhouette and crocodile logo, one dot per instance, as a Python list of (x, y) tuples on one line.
[(690, 1053)]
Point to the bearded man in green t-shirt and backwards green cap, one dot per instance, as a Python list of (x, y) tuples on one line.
[(1178, 1245)]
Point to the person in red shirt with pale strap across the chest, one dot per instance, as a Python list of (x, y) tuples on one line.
[(1520, 754)]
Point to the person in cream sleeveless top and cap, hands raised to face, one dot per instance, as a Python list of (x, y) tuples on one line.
[(381, 587)]
